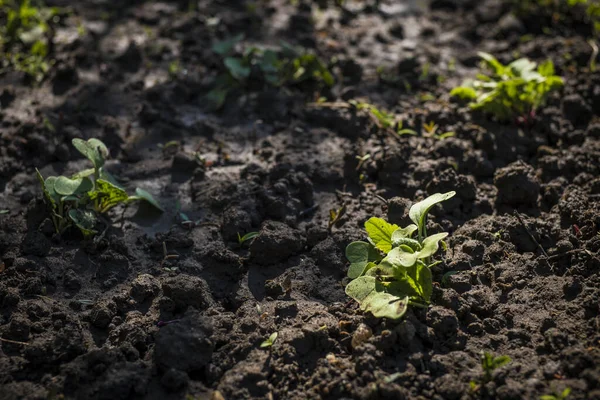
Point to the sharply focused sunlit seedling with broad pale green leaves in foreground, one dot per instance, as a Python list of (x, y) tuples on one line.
[(393, 269)]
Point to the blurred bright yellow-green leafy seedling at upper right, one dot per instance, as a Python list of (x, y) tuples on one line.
[(510, 91)]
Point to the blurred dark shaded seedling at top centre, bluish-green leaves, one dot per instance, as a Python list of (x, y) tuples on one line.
[(285, 66)]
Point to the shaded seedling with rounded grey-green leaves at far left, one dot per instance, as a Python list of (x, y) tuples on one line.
[(80, 200)]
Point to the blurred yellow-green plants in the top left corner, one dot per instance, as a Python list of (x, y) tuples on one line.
[(25, 36)]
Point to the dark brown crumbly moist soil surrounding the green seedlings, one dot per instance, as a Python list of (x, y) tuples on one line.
[(113, 318)]
